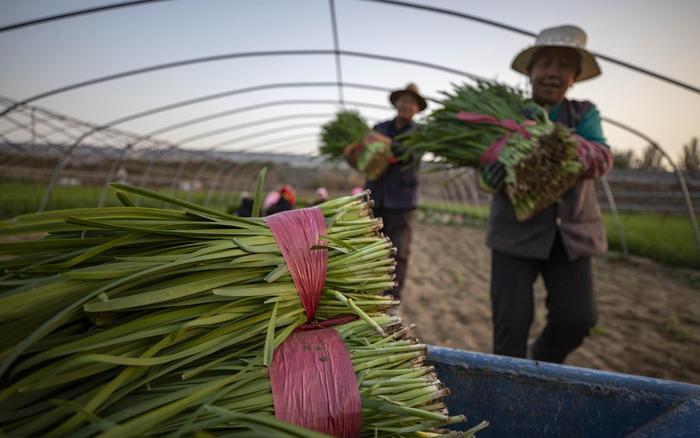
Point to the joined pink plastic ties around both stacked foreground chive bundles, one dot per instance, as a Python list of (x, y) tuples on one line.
[(312, 378)]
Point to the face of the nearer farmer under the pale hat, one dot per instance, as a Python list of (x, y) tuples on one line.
[(553, 71)]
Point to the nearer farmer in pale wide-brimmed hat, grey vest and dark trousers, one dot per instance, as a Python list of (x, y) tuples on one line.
[(560, 241)]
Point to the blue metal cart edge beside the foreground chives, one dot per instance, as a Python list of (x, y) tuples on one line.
[(525, 398)]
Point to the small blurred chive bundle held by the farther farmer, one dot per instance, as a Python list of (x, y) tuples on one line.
[(346, 137)]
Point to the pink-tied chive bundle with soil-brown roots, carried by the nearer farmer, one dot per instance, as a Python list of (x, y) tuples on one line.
[(489, 121)]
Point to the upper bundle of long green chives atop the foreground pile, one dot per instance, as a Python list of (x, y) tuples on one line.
[(115, 301)]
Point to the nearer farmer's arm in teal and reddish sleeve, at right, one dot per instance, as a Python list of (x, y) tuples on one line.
[(591, 149)]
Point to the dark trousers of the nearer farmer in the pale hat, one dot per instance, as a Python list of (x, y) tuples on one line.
[(570, 303)]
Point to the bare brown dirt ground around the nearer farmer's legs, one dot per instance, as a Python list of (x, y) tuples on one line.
[(649, 316)]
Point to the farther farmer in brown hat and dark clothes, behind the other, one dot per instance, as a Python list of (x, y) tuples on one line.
[(394, 193)]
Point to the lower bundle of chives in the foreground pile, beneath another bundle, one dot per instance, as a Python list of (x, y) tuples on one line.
[(220, 394)]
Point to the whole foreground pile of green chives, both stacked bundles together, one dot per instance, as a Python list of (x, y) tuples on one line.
[(123, 320)]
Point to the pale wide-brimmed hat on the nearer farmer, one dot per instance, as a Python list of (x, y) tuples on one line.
[(572, 37)]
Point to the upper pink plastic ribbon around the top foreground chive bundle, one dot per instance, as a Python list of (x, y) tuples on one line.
[(296, 231)]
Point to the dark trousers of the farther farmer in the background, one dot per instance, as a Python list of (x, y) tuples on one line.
[(397, 227)]
